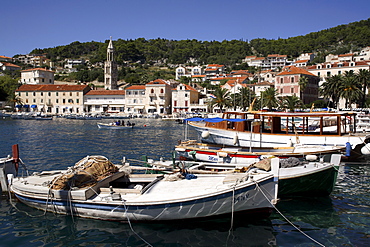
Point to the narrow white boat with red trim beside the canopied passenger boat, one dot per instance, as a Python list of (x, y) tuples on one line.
[(240, 155)]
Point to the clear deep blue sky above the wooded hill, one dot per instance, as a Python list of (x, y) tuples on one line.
[(30, 24)]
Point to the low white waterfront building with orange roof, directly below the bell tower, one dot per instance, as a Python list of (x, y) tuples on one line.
[(104, 101)]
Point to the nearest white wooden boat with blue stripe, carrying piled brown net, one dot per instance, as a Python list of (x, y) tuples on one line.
[(95, 188)]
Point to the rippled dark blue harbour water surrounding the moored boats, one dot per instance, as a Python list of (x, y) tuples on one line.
[(343, 219)]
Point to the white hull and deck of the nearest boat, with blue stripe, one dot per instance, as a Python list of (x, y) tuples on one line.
[(236, 197)]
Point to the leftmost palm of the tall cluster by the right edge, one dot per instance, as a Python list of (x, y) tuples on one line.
[(330, 88)]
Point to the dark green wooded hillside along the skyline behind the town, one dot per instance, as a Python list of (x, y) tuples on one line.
[(336, 40)]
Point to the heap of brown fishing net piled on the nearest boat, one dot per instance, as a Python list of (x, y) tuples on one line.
[(85, 173)]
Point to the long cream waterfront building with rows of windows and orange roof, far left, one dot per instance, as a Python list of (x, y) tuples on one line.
[(53, 99)]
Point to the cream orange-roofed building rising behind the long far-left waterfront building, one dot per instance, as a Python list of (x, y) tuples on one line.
[(37, 76)]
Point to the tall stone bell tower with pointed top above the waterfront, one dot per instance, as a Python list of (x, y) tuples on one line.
[(110, 69)]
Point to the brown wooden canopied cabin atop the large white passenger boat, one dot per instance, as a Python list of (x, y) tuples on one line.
[(303, 123)]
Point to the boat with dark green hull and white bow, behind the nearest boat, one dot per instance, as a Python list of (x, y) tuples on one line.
[(296, 177)]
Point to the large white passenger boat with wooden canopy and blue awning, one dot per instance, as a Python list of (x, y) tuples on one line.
[(282, 129)]
